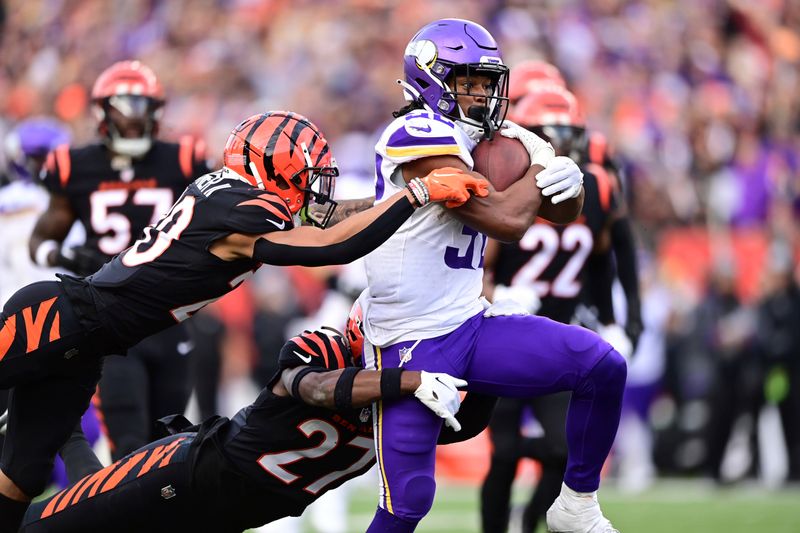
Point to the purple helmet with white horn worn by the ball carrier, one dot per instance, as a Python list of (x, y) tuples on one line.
[(450, 47)]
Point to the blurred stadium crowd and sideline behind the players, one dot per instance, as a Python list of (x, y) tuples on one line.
[(700, 102)]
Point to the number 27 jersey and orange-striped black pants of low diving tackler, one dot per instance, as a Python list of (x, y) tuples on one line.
[(270, 461)]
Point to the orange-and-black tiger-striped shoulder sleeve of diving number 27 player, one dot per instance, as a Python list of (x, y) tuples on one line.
[(325, 348)]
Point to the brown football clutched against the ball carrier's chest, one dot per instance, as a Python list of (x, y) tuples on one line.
[(502, 160)]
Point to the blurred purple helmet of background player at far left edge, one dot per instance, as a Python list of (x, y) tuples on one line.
[(28, 144)]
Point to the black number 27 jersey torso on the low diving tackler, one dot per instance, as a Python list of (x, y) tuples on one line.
[(286, 454)]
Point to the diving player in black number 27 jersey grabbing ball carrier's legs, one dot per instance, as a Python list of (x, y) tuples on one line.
[(271, 460)]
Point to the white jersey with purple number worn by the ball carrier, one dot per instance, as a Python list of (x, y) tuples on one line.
[(426, 279)]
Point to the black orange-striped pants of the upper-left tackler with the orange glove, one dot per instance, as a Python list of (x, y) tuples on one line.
[(51, 365)]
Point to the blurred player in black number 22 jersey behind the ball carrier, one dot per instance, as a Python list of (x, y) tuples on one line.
[(548, 270)]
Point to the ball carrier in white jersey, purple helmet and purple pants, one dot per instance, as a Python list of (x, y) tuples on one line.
[(422, 309)]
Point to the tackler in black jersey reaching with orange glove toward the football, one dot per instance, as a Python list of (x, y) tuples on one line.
[(223, 227)]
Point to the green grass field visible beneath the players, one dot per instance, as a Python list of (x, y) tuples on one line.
[(669, 507)]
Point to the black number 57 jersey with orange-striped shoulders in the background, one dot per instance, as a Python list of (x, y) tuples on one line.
[(116, 201)]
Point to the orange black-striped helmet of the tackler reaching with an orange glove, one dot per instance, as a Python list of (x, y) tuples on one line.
[(285, 153)]
